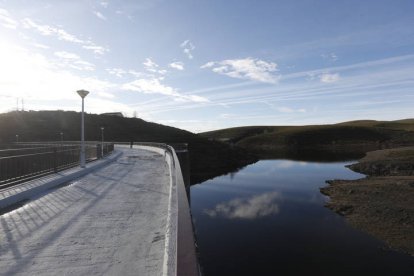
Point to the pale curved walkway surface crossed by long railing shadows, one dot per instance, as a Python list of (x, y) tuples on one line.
[(110, 222)]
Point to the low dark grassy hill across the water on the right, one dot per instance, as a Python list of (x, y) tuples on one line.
[(355, 135)]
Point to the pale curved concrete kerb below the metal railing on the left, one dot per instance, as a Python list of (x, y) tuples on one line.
[(27, 194)]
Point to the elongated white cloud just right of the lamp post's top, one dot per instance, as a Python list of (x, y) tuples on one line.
[(154, 86)]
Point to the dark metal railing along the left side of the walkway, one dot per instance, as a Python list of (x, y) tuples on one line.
[(24, 161)]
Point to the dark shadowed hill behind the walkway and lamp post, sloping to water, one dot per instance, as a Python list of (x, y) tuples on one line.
[(208, 158)]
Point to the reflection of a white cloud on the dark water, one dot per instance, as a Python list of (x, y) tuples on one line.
[(250, 208)]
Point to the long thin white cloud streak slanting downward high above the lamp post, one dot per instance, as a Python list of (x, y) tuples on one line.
[(61, 34)]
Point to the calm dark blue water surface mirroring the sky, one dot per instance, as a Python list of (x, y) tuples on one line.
[(270, 219)]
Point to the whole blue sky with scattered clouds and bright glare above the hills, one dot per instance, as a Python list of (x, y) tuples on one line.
[(204, 65)]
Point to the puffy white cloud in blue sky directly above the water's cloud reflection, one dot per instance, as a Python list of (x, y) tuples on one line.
[(248, 68)]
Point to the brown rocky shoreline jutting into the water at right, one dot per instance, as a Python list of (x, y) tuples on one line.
[(381, 204)]
